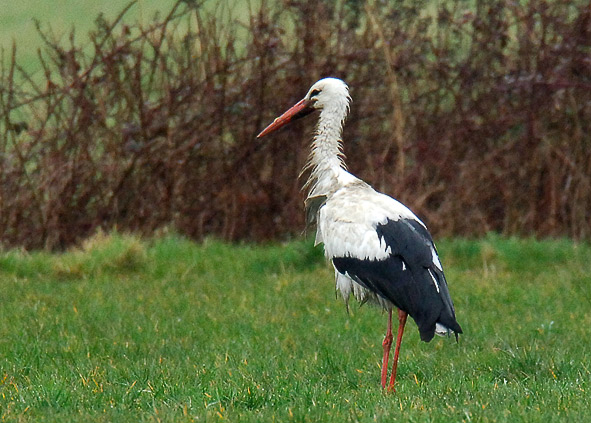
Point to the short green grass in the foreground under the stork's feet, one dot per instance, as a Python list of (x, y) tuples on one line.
[(168, 330)]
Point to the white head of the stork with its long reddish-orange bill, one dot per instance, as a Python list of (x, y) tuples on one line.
[(326, 94)]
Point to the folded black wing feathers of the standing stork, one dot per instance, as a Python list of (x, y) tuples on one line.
[(410, 277)]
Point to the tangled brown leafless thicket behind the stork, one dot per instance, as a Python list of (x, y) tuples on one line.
[(478, 119)]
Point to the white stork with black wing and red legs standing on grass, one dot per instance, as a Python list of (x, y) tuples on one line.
[(380, 250)]
